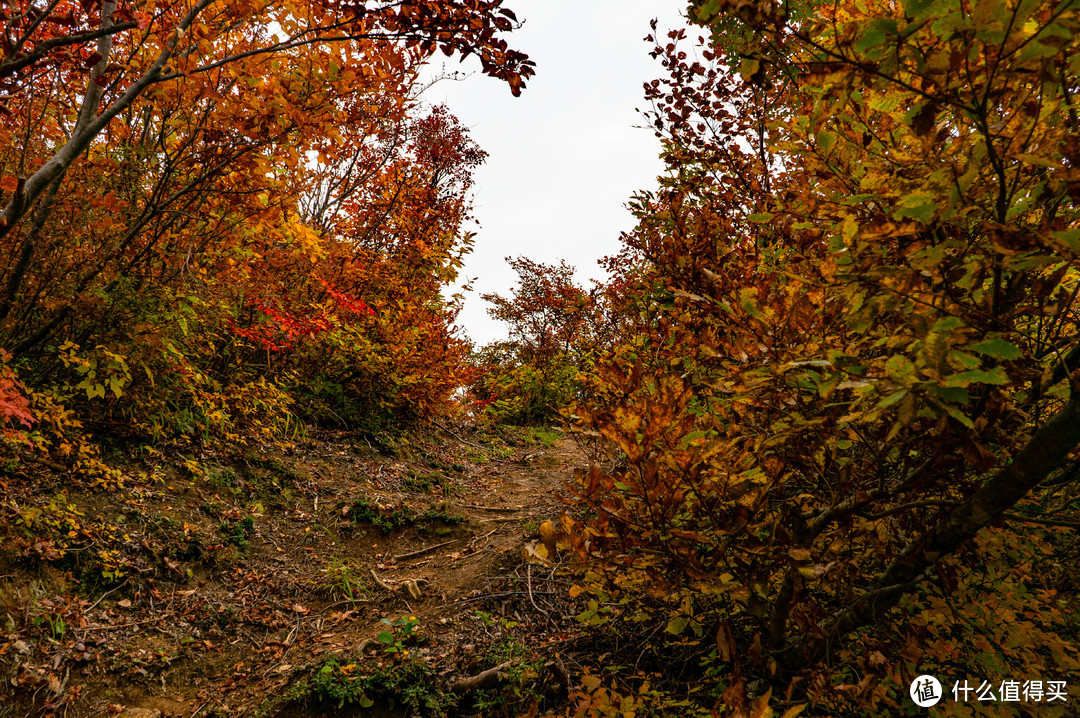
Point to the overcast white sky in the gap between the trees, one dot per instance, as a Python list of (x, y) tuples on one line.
[(566, 156)]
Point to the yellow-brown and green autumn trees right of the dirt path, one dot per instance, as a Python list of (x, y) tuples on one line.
[(857, 404)]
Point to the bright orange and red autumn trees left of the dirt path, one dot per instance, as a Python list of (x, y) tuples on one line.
[(217, 216)]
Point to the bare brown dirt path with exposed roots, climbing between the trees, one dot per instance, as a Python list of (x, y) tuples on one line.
[(300, 562)]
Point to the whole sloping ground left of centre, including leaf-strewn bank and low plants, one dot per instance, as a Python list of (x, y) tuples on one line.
[(328, 577)]
